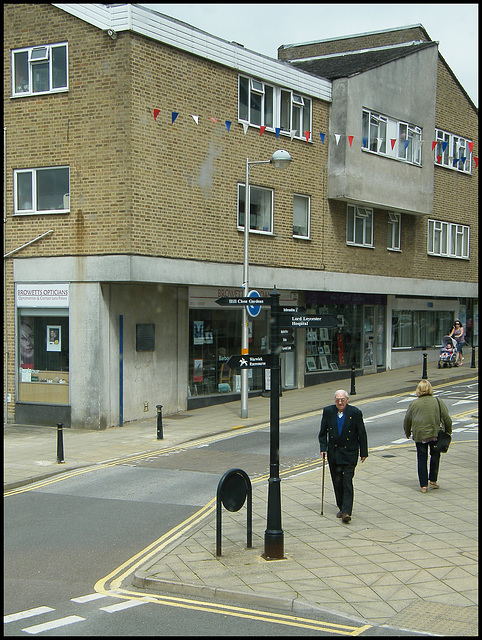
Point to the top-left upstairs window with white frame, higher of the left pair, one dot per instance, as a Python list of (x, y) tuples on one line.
[(41, 69)]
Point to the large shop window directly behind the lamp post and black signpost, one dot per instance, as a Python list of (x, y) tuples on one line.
[(215, 336)]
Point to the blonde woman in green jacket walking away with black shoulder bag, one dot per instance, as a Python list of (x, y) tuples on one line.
[(422, 419)]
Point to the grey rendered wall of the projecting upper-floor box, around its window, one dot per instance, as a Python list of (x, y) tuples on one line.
[(367, 178)]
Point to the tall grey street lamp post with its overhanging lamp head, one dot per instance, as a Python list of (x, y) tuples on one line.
[(280, 159)]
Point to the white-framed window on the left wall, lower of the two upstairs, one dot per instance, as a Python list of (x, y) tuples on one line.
[(45, 190)]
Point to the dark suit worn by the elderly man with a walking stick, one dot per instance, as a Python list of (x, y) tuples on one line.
[(343, 451)]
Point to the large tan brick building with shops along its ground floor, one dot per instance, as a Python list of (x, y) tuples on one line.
[(126, 139)]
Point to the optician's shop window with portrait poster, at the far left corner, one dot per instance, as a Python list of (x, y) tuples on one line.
[(43, 348)]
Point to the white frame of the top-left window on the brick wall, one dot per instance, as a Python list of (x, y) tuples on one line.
[(33, 56)]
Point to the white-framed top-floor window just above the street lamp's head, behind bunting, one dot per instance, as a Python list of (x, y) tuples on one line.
[(279, 107)]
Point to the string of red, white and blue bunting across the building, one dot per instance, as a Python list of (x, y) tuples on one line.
[(338, 137)]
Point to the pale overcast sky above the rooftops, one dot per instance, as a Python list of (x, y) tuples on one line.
[(264, 27)]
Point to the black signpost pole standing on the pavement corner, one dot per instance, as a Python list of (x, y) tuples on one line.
[(274, 536)]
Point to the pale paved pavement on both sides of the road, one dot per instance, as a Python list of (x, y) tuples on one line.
[(407, 561)]
